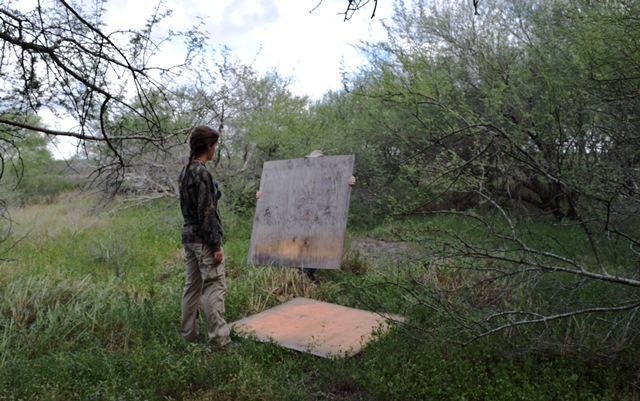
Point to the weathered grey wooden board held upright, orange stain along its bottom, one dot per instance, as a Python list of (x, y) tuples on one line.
[(301, 216)]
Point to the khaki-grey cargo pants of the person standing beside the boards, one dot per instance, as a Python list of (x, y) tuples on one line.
[(205, 285)]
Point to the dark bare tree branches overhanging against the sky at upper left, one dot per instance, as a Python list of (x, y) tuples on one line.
[(57, 57)]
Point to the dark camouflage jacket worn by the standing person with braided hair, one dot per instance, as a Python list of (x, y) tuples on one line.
[(199, 204)]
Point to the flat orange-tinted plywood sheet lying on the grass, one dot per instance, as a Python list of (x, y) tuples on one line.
[(320, 328)]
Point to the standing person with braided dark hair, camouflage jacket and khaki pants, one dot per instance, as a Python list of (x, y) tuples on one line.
[(205, 280)]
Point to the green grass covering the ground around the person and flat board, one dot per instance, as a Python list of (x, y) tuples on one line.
[(90, 305)]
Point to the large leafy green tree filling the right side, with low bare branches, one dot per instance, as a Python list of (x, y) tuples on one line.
[(520, 124)]
